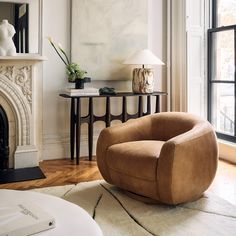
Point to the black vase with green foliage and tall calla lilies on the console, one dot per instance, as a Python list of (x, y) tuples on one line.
[(75, 74)]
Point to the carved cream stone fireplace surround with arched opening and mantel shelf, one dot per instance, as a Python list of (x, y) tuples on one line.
[(21, 98)]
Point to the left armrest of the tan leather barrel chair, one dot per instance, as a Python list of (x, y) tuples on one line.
[(133, 130)]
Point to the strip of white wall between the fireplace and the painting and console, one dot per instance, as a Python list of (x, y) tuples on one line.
[(56, 23)]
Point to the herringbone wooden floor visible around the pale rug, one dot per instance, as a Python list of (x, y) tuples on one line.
[(61, 172)]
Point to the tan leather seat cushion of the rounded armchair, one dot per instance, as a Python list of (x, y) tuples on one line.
[(137, 159)]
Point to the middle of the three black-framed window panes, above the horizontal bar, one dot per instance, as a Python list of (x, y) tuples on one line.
[(222, 57)]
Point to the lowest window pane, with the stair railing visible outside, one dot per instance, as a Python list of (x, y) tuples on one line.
[(223, 108)]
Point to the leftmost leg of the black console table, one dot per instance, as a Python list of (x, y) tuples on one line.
[(72, 128)]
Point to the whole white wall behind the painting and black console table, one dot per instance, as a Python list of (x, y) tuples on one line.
[(56, 23)]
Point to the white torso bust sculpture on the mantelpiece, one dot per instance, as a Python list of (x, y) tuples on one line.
[(7, 31)]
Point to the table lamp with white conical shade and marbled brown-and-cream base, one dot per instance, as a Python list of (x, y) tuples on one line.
[(143, 77)]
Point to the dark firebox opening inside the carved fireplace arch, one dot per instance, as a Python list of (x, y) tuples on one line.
[(4, 140)]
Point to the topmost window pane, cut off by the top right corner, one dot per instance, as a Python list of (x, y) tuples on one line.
[(226, 14)]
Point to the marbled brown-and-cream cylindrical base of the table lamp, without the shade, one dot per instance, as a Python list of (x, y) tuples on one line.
[(142, 80)]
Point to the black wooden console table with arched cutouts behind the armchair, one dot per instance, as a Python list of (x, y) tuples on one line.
[(76, 120)]
